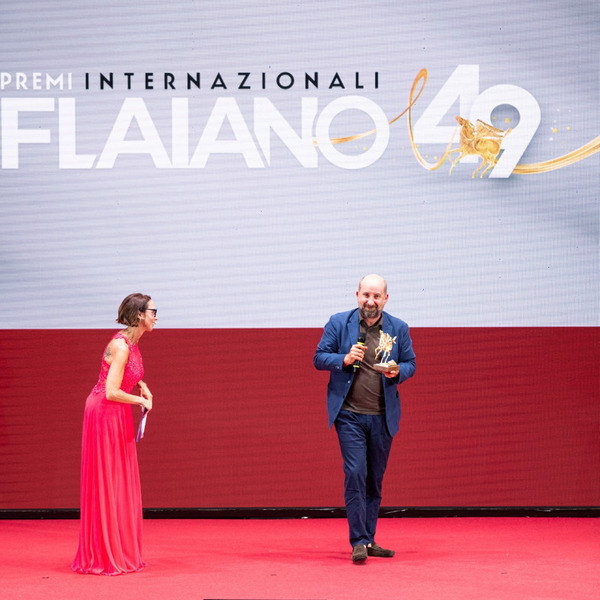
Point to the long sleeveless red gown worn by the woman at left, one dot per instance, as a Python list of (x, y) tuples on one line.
[(110, 537)]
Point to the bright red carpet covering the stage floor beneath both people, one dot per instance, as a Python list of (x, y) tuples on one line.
[(309, 559)]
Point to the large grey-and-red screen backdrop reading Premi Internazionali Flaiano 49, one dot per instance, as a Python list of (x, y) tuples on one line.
[(245, 164)]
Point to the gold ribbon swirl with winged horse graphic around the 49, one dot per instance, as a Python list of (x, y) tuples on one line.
[(484, 141)]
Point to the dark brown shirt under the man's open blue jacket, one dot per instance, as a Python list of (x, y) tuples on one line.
[(366, 394)]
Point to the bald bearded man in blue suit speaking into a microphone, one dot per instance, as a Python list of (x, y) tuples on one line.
[(364, 404)]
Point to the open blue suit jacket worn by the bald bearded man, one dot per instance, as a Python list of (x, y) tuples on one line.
[(339, 334)]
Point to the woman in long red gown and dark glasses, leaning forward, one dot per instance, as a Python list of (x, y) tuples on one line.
[(110, 537)]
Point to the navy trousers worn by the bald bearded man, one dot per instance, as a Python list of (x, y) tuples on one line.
[(365, 444)]
